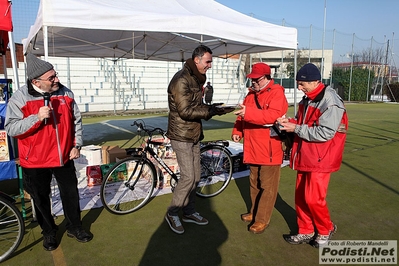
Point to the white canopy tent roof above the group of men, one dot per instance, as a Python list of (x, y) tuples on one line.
[(149, 29)]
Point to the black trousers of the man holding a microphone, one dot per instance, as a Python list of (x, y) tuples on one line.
[(37, 182)]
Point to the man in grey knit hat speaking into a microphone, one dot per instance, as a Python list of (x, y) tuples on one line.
[(45, 119)]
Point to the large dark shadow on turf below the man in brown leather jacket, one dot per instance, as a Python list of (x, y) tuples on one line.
[(198, 245)]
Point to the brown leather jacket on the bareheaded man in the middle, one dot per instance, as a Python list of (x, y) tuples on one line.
[(185, 105)]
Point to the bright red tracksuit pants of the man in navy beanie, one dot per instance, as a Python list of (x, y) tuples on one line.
[(310, 203)]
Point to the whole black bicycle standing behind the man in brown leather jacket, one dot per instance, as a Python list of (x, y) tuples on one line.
[(129, 183)]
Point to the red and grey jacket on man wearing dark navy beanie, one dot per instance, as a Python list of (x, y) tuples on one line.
[(320, 133)]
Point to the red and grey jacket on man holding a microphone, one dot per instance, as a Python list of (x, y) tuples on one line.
[(43, 145)]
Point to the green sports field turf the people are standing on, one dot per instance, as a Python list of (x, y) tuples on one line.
[(363, 199)]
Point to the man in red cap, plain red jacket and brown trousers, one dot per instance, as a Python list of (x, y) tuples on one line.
[(264, 103)]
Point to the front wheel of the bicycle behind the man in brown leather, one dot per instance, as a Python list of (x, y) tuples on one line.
[(128, 185)]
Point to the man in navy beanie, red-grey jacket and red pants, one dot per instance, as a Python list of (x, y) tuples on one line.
[(320, 132)]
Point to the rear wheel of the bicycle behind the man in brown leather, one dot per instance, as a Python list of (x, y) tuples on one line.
[(216, 171)]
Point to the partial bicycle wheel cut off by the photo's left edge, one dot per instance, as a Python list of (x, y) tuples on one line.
[(12, 228)]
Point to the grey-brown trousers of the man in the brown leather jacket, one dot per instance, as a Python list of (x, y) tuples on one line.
[(188, 159)]
